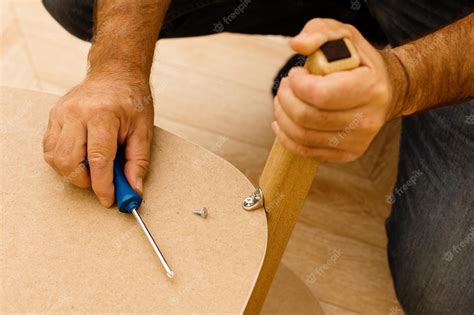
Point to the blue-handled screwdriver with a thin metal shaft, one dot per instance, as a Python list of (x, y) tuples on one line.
[(129, 201)]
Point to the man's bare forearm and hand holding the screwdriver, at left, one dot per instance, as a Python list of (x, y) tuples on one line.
[(113, 105)]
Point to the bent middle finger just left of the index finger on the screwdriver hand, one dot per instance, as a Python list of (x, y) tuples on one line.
[(70, 152)]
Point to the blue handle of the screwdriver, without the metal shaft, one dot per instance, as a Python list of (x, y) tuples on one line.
[(127, 198)]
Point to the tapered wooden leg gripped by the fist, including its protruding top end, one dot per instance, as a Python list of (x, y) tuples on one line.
[(287, 178)]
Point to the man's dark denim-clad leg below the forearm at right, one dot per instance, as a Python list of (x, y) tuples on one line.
[(431, 227)]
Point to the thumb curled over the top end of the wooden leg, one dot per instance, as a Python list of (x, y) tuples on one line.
[(316, 33)]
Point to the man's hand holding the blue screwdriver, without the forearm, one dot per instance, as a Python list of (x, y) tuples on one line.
[(90, 121)]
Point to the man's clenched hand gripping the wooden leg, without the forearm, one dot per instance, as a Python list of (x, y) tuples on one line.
[(333, 117)]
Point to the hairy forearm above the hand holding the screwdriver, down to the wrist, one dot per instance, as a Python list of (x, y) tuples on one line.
[(125, 34)]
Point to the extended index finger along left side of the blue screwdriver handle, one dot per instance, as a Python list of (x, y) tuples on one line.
[(102, 133)]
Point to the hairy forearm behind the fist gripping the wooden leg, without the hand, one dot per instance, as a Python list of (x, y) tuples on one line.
[(434, 70)]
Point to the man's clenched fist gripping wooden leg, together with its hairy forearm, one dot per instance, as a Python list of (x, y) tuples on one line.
[(335, 117)]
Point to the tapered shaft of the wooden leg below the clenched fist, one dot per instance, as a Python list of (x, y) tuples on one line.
[(286, 180)]
